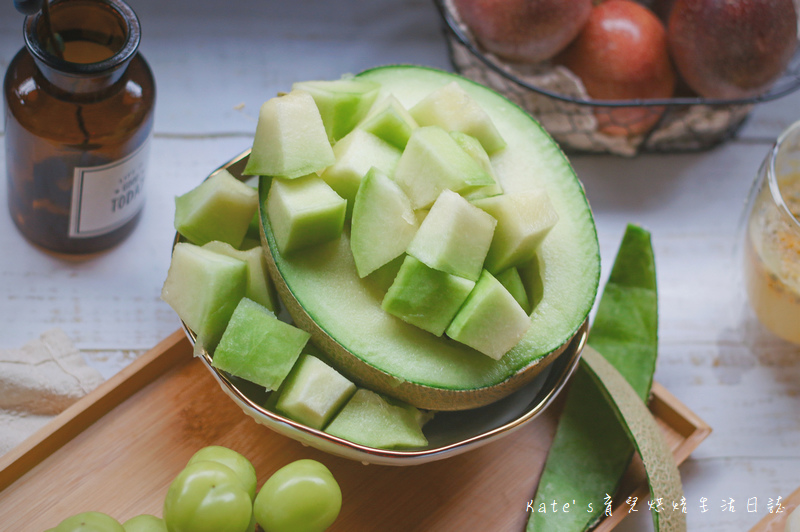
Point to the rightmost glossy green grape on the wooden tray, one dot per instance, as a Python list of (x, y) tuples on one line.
[(302, 496)]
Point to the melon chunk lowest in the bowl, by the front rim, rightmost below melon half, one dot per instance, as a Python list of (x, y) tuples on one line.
[(372, 420)]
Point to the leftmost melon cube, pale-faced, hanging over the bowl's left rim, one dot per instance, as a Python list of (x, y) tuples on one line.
[(204, 288)]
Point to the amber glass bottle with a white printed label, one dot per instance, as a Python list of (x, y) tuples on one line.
[(78, 117)]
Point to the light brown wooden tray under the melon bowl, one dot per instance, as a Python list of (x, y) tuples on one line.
[(166, 405)]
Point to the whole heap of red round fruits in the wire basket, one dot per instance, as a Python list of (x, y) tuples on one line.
[(623, 50)]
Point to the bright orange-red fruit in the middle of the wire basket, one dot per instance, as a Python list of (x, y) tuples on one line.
[(621, 54)]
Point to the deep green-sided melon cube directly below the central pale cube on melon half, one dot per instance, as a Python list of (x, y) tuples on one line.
[(425, 297)]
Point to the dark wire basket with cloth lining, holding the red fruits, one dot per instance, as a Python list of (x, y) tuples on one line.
[(558, 100)]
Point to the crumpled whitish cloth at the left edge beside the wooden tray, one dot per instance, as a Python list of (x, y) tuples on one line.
[(39, 381)]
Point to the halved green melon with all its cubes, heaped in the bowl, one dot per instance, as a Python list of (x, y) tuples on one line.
[(424, 233)]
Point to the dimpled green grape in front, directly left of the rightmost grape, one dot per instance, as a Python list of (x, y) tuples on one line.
[(207, 497)]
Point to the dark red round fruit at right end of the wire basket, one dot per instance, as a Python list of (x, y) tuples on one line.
[(732, 48)]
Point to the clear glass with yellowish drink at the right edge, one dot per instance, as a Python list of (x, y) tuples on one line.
[(772, 239)]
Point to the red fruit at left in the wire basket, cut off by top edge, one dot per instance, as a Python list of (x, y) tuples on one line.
[(524, 30)]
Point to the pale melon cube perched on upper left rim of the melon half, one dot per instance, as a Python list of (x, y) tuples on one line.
[(290, 139)]
